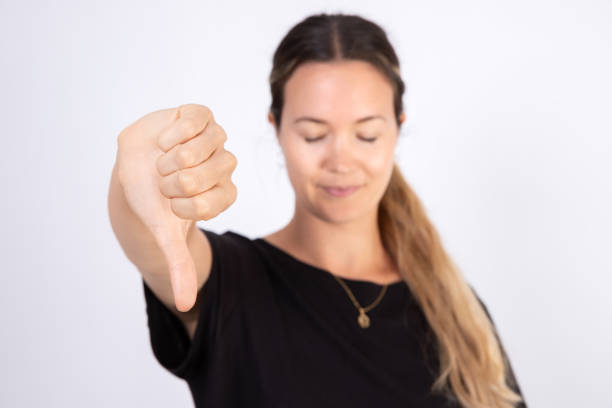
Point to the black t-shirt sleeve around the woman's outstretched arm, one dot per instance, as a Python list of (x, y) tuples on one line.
[(217, 298)]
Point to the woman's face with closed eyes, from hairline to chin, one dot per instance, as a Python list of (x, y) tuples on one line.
[(338, 130)]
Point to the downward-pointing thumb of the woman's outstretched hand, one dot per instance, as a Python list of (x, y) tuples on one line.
[(183, 277)]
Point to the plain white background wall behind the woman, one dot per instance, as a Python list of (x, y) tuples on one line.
[(507, 142)]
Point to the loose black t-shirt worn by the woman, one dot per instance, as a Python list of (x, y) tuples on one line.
[(274, 331)]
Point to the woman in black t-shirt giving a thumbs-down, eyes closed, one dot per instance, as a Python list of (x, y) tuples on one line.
[(355, 302)]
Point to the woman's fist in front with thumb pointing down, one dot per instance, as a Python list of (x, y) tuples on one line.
[(174, 171)]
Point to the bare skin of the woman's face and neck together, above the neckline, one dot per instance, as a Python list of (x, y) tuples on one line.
[(338, 234)]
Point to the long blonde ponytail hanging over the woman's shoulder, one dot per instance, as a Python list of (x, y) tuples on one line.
[(472, 360)]
